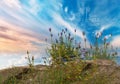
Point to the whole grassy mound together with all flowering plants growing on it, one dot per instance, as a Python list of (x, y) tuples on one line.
[(68, 66)]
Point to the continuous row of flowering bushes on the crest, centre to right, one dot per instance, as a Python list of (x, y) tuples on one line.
[(65, 48)]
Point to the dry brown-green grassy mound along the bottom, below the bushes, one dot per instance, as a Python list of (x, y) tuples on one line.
[(98, 74)]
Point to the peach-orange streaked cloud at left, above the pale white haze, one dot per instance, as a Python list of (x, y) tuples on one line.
[(17, 39)]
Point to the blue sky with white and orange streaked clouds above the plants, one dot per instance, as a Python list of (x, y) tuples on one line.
[(24, 25)]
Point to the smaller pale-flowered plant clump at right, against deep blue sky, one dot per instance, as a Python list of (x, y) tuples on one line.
[(102, 49)]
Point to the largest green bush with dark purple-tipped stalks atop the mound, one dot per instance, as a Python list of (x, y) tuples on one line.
[(64, 48)]
